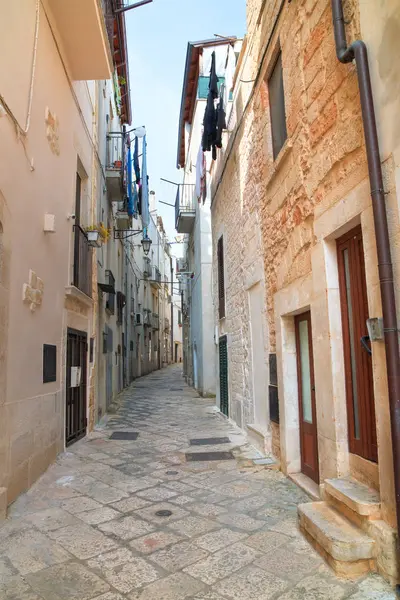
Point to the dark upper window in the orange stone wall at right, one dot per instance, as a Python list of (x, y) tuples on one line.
[(277, 107)]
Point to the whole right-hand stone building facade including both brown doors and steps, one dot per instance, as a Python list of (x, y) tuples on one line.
[(295, 169)]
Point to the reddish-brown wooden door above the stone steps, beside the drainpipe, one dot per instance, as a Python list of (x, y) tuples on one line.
[(358, 365)]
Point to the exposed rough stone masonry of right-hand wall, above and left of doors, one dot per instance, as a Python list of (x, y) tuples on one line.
[(323, 159)]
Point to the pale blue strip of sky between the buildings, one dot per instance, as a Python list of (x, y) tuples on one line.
[(158, 34)]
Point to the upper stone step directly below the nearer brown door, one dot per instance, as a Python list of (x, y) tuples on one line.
[(347, 493)]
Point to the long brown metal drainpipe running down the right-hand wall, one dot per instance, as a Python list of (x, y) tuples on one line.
[(358, 52)]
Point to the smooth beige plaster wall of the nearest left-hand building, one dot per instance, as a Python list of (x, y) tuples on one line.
[(37, 176)]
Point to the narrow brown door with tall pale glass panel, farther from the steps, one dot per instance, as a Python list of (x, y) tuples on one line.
[(307, 408)]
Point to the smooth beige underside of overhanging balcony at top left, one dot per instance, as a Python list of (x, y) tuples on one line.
[(81, 25)]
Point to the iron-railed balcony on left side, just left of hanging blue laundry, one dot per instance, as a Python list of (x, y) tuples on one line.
[(115, 166)]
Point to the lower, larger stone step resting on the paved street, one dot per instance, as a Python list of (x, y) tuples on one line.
[(349, 551)]
